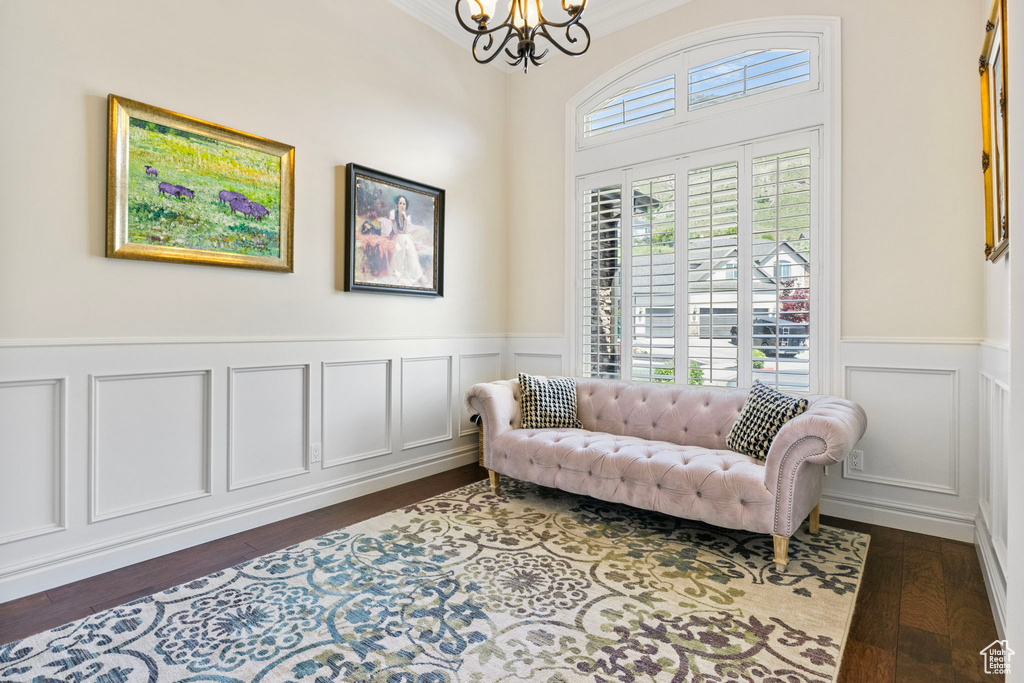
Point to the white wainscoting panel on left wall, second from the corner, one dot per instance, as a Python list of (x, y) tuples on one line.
[(426, 401)]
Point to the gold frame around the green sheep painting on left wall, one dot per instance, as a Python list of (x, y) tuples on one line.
[(119, 242)]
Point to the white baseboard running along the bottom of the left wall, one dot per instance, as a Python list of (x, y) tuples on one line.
[(57, 570)]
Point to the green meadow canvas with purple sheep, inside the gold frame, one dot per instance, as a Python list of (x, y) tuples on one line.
[(195, 192)]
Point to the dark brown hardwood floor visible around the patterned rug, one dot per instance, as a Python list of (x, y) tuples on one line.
[(922, 613)]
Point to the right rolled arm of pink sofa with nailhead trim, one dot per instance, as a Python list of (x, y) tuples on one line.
[(825, 435)]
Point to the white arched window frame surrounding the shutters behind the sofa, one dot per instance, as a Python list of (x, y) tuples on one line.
[(790, 110)]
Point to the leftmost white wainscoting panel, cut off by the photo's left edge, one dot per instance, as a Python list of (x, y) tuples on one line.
[(32, 445)]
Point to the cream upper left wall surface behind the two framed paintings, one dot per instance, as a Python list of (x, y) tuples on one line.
[(344, 81)]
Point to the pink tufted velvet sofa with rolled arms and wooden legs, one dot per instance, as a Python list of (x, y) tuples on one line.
[(662, 447)]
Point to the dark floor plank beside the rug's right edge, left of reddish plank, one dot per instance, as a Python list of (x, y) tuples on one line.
[(876, 619)]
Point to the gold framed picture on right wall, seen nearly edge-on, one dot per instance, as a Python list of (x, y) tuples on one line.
[(995, 158)]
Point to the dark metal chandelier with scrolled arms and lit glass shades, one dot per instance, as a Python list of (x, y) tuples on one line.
[(517, 36)]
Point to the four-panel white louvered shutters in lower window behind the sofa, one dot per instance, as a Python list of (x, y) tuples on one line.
[(722, 300)]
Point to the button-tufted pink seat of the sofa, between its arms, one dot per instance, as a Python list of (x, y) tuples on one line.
[(721, 488)]
